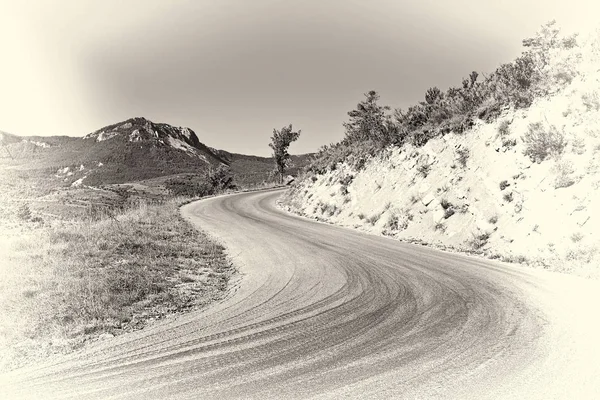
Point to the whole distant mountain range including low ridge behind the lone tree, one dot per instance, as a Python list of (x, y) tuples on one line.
[(133, 150)]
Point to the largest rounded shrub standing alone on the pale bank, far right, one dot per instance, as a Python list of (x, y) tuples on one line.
[(541, 142)]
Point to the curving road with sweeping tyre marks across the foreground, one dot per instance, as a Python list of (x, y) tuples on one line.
[(326, 312)]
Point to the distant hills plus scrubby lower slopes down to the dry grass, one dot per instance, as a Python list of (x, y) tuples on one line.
[(132, 159)]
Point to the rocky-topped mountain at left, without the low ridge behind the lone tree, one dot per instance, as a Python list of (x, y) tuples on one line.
[(130, 150)]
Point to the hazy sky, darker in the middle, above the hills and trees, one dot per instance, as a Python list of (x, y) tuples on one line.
[(232, 70)]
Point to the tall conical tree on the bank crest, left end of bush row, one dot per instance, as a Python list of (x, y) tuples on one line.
[(368, 122)]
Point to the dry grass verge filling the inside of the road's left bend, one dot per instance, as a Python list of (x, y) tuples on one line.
[(64, 282)]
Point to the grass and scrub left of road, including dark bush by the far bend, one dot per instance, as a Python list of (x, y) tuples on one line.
[(85, 264)]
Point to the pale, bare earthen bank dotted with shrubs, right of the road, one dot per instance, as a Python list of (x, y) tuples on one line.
[(521, 185)]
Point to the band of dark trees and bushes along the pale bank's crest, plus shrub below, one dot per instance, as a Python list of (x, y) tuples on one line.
[(372, 128)]
